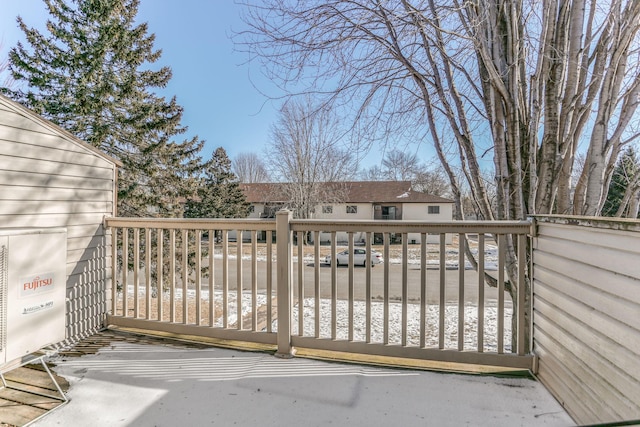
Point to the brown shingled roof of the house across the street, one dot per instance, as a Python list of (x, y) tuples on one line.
[(354, 192)]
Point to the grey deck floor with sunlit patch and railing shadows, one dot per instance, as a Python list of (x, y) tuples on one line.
[(117, 379)]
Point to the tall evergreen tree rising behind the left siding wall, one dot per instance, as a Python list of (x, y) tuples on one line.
[(91, 75)]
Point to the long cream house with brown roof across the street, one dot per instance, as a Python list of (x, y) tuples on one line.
[(358, 200)]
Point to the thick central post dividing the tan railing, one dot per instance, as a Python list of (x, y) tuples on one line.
[(283, 275)]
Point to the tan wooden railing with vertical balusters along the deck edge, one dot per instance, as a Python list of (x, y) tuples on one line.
[(423, 301)]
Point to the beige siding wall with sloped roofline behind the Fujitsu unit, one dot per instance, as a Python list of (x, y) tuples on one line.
[(51, 179)]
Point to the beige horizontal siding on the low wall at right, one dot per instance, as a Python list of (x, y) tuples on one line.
[(586, 323)]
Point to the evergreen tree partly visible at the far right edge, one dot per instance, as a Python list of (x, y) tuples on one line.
[(624, 185)]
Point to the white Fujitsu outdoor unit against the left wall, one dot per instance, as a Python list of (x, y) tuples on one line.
[(32, 292)]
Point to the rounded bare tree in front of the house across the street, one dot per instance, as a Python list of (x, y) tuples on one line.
[(307, 150)]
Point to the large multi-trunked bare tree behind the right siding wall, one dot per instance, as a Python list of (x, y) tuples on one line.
[(527, 81)]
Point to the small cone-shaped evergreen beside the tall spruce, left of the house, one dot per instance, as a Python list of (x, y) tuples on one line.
[(219, 192)]
